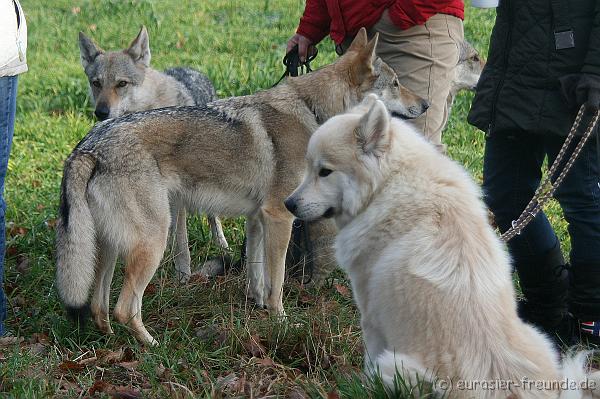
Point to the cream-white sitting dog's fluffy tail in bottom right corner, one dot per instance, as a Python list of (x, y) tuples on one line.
[(576, 379)]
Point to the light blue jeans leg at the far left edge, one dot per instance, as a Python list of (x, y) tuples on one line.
[(8, 96)]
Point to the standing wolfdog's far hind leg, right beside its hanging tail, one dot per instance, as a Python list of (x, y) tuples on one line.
[(105, 267)]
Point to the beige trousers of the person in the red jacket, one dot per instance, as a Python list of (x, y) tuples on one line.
[(424, 58)]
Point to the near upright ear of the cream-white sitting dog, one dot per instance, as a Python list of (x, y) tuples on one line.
[(372, 132)]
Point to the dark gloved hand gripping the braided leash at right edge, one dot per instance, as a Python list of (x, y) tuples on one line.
[(582, 88)]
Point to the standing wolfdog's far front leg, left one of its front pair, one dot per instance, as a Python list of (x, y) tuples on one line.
[(255, 259)]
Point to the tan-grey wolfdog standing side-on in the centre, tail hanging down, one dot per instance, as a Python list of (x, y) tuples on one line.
[(236, 156)]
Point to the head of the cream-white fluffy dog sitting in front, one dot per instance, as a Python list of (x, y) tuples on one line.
[(344, 160)]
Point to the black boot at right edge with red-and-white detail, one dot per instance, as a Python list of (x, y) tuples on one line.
[(584, 300)]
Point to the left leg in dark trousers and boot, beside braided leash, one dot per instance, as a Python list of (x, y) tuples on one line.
[(512, 172)]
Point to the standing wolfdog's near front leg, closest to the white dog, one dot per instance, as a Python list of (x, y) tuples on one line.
[(277, 226)]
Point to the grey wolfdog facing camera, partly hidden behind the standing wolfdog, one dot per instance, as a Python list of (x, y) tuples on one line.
[(122, 82)]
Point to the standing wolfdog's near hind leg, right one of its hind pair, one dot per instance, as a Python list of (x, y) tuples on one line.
[(141, 263)]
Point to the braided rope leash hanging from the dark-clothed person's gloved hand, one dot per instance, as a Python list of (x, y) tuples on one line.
[(548, 186)]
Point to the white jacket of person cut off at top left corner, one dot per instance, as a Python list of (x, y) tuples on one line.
[(13, 39)]
